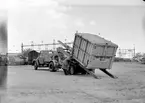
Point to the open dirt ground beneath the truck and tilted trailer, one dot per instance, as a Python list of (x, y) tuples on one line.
[(26, 85)]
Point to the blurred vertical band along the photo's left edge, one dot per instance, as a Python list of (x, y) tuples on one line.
[(3, 52)]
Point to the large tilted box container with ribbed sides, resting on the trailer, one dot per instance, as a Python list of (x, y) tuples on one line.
[(93, 51)]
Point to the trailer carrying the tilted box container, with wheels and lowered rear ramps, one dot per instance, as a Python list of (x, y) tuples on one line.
[(89, 52)]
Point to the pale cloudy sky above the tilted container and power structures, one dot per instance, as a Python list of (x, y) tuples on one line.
[(121, 21)]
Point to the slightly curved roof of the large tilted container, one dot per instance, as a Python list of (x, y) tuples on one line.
[(95, 39)]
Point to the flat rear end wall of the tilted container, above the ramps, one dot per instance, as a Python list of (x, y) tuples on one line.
[(100, 58)]
